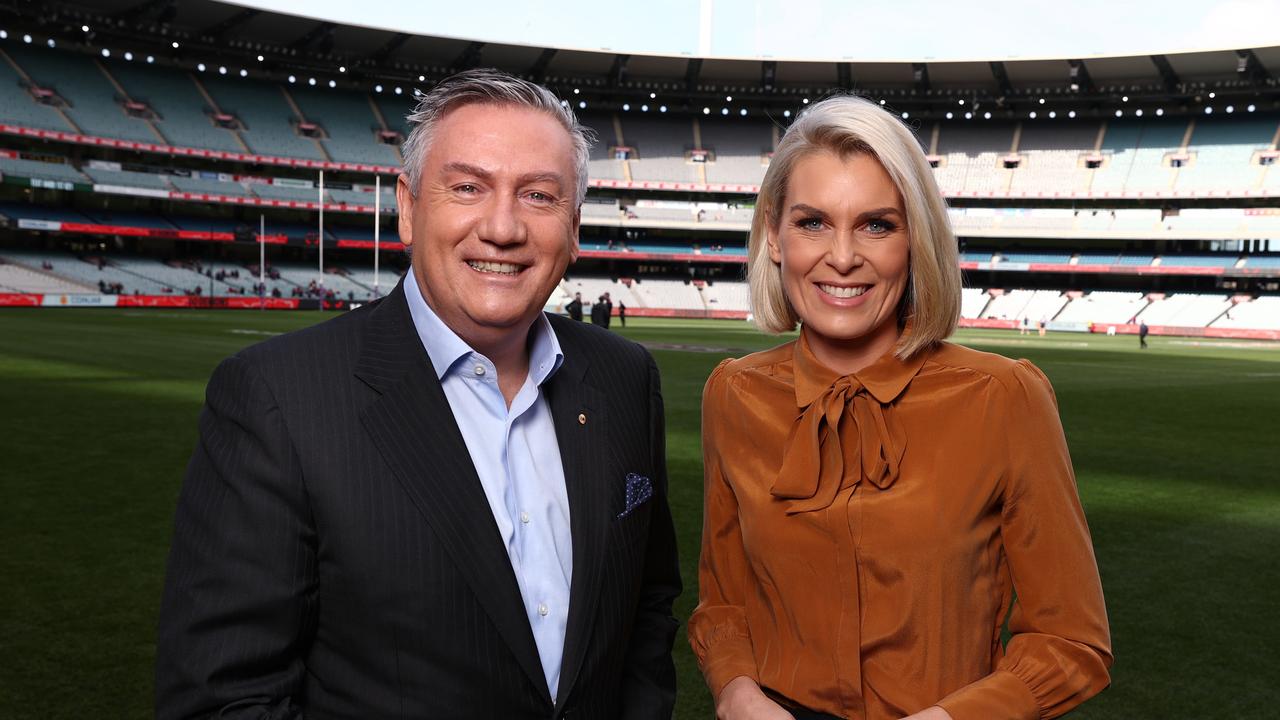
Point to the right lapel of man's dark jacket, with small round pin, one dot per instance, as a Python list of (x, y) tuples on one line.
[(580, 414)]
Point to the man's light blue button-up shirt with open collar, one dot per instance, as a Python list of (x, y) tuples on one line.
[(516, 455)]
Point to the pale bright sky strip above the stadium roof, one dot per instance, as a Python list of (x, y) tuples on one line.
[(828, 30)]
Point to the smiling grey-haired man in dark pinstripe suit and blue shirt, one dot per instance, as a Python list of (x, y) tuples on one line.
[(446, 504)]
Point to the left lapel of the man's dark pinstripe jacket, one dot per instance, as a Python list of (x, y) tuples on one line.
[(414, 429)]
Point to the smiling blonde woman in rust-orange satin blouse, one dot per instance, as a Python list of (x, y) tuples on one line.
[(875, 495)]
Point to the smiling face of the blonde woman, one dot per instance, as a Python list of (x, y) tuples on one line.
[(844, 249)]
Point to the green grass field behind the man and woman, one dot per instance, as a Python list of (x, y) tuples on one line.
[(1176, 449)]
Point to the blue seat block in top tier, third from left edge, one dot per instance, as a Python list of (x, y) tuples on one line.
[(184, 117)]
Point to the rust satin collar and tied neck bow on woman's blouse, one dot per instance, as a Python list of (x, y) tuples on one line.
[(845, 432)]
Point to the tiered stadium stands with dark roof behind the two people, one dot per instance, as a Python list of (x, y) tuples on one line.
[(152, 153)]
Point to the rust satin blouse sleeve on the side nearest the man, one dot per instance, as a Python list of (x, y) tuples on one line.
[(717, 630)]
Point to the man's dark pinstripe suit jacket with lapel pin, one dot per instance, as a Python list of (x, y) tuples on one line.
[(335, 554)]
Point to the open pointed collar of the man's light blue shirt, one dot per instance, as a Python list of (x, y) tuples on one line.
[(445, 348)]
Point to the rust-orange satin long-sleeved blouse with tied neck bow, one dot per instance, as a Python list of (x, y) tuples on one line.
[(865, 536)]
